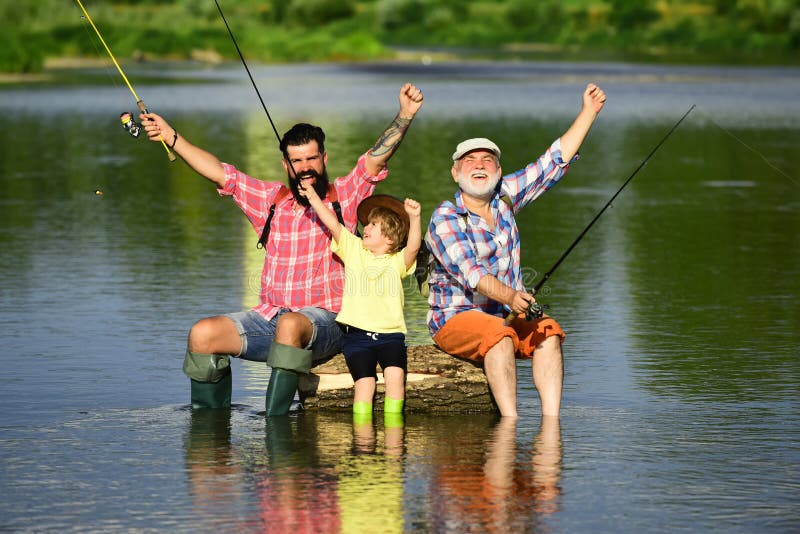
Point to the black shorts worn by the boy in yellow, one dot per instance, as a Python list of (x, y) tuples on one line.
[(363, 351)]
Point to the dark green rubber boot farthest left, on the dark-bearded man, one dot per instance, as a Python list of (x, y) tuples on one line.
[(210, 378)]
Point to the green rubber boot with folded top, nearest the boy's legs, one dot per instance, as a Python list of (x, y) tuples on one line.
[(287, 364)]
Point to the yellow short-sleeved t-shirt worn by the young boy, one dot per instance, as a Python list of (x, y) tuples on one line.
[(373, 292)]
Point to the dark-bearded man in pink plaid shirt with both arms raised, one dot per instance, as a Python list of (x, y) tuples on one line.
[(301, 282)]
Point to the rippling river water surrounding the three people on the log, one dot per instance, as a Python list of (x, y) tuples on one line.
[(680, 408)]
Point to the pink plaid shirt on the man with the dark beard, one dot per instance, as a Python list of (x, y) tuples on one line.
[(299, 268)]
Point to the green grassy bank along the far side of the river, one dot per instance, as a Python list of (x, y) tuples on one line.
[(737, 31)]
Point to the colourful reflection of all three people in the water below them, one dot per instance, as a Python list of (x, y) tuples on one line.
[(478, 475)]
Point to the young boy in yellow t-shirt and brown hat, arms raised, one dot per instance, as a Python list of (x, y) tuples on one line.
[(372, 303)]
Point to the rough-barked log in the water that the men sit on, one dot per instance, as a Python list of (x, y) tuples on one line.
[(435, 383)]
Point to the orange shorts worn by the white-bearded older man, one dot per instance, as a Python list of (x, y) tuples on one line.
[(470, 335)]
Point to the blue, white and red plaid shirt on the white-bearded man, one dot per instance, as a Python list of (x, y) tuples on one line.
[(464, 248)]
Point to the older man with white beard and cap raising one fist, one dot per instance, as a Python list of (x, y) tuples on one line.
[(476, 279)]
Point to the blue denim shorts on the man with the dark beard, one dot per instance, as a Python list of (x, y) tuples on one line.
[(257, 333)]
